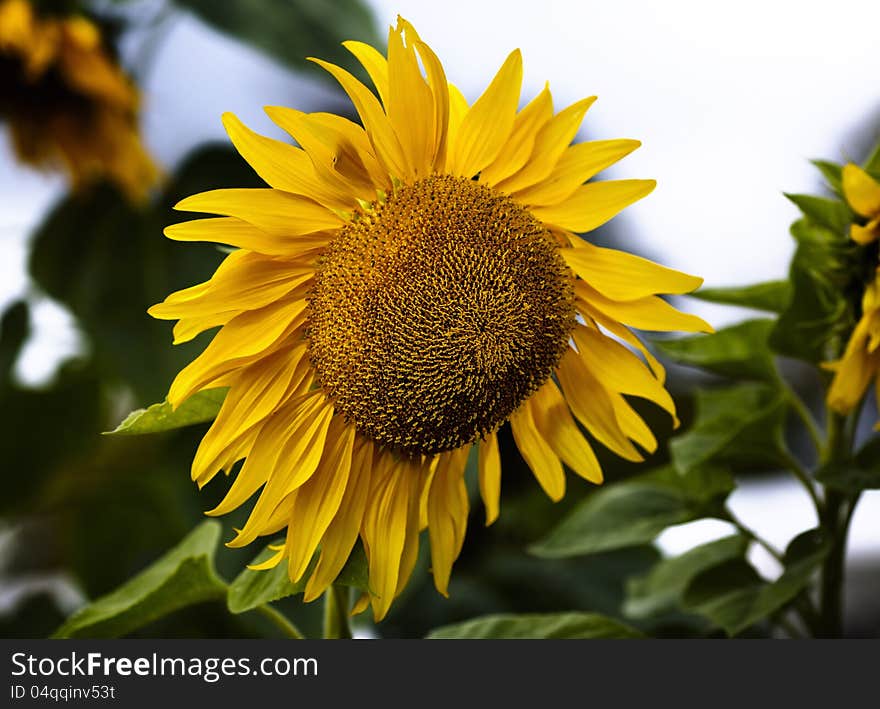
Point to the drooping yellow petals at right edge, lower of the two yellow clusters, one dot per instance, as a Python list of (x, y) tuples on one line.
[(861, 359)]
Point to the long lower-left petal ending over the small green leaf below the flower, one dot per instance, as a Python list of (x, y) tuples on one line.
[(318, 500)]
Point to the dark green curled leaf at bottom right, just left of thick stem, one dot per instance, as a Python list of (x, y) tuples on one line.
[(735, 597)]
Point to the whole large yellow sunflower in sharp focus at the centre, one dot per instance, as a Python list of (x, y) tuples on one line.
[(402, 290)]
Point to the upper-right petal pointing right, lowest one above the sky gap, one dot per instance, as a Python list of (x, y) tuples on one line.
[(593, 204)]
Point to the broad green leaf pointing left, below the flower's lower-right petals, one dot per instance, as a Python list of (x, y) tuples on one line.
[(635, 511)]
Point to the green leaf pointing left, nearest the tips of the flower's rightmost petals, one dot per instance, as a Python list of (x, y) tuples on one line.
[(740, 351)]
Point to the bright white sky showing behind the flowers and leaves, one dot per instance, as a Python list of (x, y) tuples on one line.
[(730, 101)]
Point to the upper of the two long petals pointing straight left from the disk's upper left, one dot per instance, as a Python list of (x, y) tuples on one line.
[(278, 213)]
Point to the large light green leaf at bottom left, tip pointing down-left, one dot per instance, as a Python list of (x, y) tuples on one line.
[(182, 577)]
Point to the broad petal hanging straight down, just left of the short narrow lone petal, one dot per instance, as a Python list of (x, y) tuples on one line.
[(447, 515)]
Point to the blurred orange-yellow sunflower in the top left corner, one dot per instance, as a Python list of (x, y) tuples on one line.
[(66, 101)]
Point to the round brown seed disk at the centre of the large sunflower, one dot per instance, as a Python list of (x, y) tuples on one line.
[(437, 313)]
